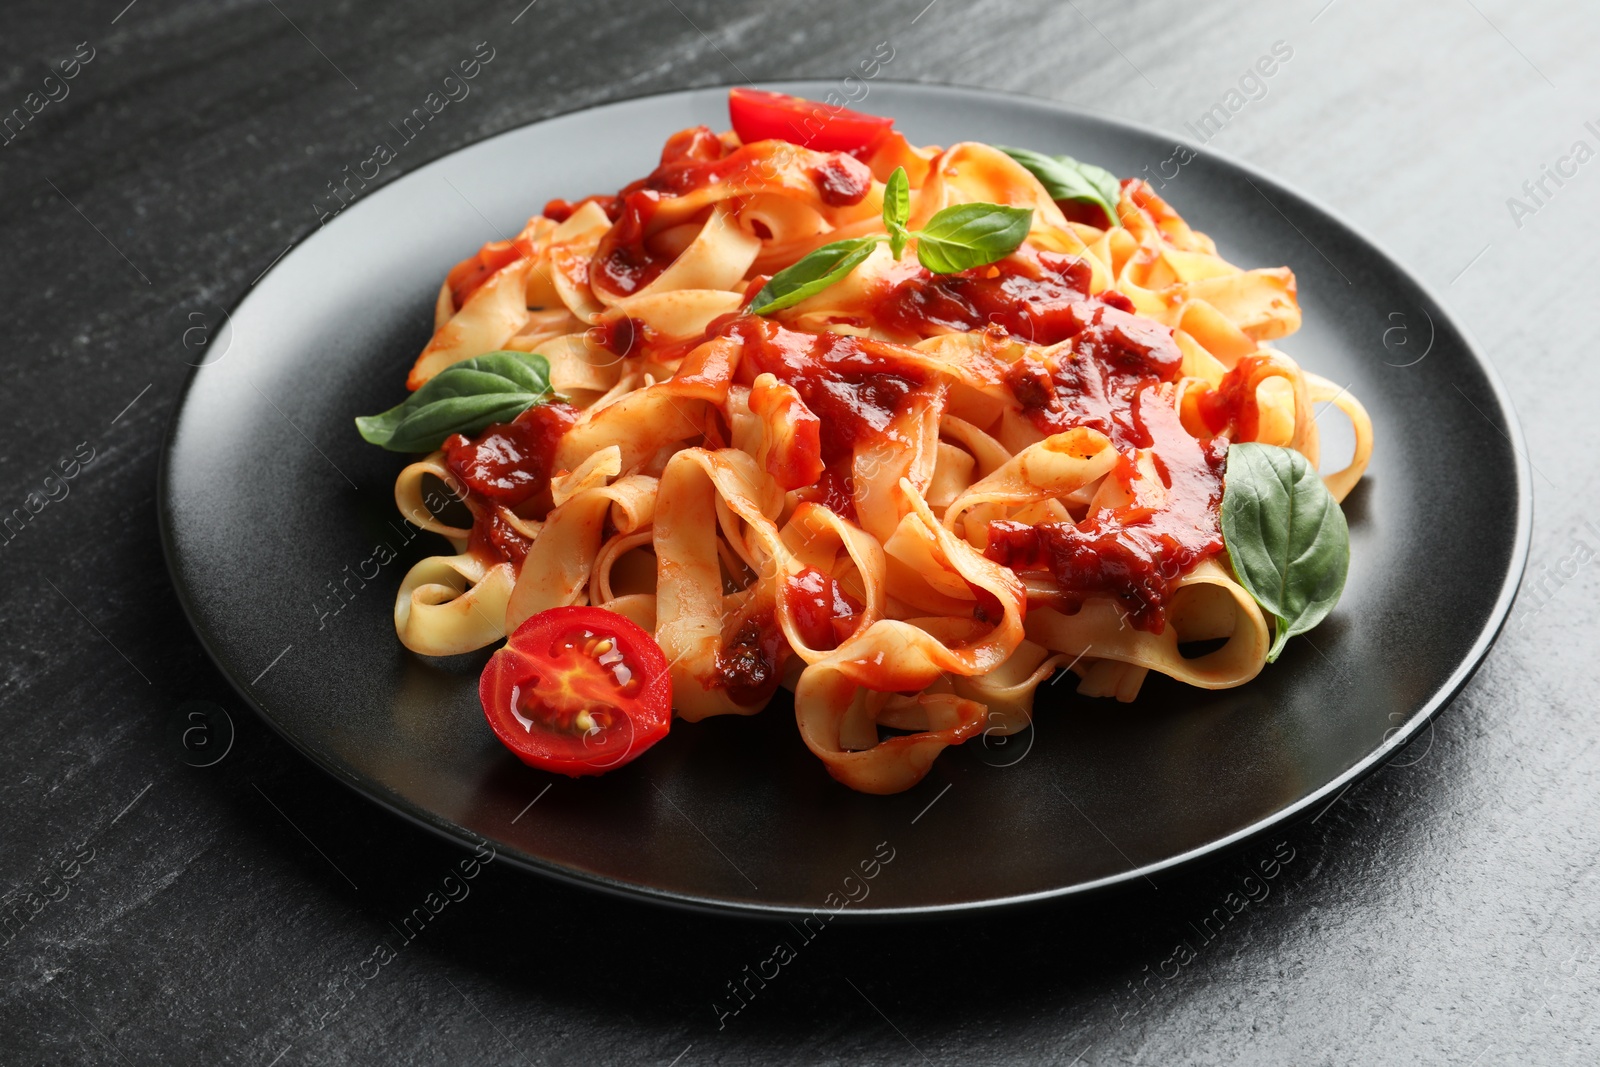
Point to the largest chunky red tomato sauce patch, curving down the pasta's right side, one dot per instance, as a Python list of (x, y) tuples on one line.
[(1108, 380)]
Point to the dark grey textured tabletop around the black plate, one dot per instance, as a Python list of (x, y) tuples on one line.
[(1444, 911)]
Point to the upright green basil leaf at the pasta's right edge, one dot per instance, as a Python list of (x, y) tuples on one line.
[(1286, 537)]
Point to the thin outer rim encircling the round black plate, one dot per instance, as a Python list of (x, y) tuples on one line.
[(724, 908)]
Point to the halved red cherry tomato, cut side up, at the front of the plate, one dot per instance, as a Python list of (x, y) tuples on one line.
[(578, 692)]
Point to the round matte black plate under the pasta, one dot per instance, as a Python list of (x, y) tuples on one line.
[(271, 502)]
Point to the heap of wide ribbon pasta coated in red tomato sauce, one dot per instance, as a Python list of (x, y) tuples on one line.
[(910, 497)]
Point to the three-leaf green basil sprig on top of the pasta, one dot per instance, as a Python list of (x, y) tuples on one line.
[(956, 239)]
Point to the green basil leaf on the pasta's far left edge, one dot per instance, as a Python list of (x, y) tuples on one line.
[(462, 399)]
